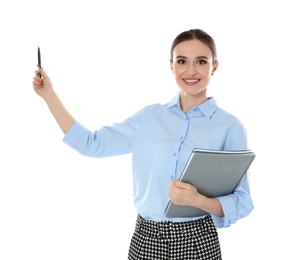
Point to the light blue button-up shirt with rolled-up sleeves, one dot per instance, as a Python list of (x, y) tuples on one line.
[(161, 138)]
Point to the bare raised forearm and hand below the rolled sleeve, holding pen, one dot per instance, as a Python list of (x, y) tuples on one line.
[(44, 88)]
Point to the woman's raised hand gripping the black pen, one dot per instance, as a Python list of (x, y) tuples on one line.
[(42, 85)]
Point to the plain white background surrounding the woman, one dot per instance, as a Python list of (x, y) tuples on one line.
[(108, 59)]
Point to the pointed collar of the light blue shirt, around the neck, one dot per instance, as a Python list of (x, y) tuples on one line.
[(208, 108)]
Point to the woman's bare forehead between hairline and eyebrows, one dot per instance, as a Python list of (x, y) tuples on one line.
[(192, 48)]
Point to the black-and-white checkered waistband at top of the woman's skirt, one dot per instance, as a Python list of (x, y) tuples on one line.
[(174, 230)]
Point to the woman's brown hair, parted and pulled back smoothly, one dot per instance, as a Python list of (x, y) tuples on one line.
[(195, 34)]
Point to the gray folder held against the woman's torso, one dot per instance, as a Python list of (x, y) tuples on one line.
[(214, 173)]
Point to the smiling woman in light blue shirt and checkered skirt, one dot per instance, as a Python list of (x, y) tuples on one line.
[(160, 138)]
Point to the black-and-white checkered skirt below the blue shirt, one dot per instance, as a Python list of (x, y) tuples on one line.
[(168, 240)]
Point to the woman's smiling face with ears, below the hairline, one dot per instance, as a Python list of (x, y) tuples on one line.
[(193, 67)]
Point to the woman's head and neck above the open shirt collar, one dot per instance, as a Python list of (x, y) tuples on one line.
[(193, 62)]
